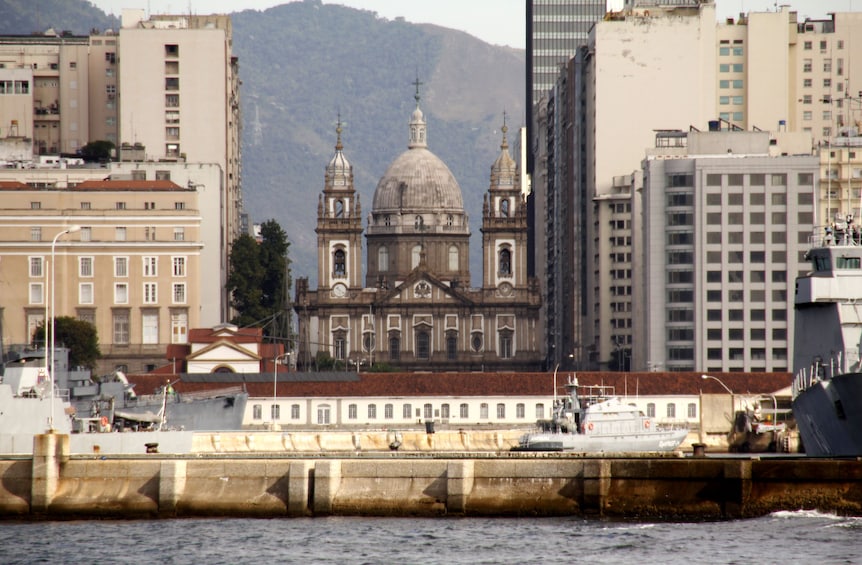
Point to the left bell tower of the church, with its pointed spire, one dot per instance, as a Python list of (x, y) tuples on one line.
[(339, 228)]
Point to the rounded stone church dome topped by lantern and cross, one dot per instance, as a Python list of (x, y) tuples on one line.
[(418, 180)]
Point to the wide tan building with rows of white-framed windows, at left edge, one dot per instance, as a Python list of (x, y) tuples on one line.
[(132, 269)]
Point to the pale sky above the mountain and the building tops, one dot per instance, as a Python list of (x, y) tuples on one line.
[(499, 22)]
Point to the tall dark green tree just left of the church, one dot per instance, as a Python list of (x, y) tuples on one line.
[(259, 280)]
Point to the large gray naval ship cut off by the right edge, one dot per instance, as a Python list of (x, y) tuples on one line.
[(827, 386)]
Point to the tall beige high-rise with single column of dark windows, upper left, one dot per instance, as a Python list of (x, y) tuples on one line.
[(179, 98)]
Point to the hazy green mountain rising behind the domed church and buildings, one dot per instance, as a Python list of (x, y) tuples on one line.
[(304, 64)]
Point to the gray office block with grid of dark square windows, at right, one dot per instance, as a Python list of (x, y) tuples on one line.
[(727, 217)]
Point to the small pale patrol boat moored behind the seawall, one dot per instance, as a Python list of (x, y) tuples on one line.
[(599, 422)]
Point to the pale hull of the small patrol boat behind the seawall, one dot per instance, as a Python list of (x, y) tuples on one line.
[(664, 440)]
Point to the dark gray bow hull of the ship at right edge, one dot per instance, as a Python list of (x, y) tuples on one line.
[(829, 416)]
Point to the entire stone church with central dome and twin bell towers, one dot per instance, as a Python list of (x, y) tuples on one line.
[(415, 309)]
